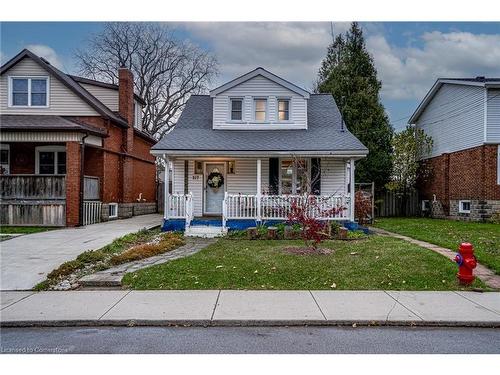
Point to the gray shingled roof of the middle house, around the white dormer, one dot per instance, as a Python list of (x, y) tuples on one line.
[(325, 133)]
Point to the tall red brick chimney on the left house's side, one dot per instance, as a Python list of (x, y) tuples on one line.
[(126, 103)]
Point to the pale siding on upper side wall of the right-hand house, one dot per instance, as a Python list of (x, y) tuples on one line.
[(454, 118)]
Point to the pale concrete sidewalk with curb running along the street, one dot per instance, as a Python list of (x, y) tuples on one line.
[(251, 307)]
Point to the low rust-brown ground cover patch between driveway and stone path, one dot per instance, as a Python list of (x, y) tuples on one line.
[(167, 242)]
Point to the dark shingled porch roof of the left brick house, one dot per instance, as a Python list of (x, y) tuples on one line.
[(45, 123)]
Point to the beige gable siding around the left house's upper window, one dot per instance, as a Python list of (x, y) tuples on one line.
[(62, 101)]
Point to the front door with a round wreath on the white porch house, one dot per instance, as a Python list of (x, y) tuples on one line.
[(214, 188)]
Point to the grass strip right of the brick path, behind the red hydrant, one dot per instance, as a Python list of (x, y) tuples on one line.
[(448, 233)]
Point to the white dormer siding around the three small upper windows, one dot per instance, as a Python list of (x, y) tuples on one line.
[(263, 88)]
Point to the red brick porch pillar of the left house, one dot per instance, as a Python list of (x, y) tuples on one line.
[(73, 167)]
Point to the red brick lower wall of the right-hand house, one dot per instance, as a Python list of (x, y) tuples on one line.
[(466, 174)]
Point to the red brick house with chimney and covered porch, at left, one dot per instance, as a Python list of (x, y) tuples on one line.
[(72, 149)]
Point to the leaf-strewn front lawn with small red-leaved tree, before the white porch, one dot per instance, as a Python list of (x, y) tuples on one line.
[(376, 263)]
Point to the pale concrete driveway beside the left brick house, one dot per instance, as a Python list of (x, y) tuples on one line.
[(26, 260)]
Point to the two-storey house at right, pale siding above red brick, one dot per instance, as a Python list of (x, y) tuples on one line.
[(462, 115)]
